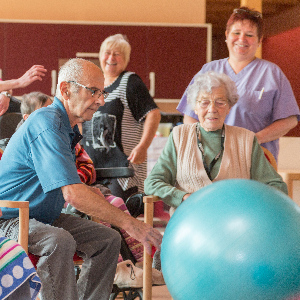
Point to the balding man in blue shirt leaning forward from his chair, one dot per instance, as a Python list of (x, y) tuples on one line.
[(38, 166)]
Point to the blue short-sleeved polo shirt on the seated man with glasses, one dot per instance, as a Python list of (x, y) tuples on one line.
[(38, 160)]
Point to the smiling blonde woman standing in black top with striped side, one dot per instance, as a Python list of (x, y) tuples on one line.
[(122, 130)]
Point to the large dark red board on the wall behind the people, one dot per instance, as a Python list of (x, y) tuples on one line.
[(174, 53)]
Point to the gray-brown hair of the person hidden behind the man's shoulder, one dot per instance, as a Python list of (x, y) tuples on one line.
[(33, 101)]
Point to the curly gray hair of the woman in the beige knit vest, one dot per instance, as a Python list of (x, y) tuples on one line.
[(206, 81)]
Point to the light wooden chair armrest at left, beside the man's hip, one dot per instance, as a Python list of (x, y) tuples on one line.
[(23, 220)]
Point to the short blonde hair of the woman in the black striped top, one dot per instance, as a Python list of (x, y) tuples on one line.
[(117, 41)]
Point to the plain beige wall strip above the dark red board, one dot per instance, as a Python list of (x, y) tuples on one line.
[(153, 11)]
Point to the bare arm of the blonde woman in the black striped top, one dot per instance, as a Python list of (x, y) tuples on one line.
[(139, 153)]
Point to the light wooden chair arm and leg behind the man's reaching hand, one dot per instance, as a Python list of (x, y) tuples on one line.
[(147, 263)]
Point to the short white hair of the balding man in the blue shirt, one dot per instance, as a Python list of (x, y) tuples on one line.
[(72, 70)]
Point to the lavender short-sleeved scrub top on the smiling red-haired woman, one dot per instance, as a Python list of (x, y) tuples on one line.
[(252, 111)]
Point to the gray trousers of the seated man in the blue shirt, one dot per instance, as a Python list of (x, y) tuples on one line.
[(98, 245)]
